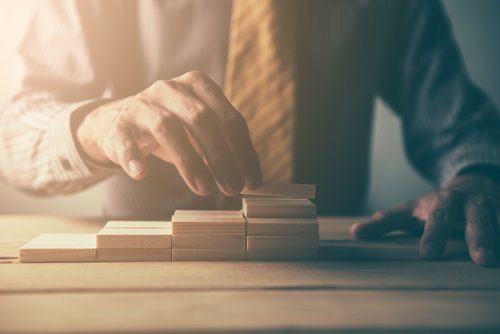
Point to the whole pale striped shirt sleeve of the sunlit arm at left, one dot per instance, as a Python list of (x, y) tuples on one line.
[(38, 152)]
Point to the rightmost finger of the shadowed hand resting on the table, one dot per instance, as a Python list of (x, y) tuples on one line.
[(480, 230)]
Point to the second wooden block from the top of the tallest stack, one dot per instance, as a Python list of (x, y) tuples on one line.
[(256, 207)]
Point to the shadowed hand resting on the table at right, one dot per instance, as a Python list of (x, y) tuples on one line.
[(469, 203)]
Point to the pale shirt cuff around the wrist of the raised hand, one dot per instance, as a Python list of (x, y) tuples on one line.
[(67, 163)]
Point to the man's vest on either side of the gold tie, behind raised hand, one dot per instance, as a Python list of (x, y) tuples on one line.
[(340, 47)]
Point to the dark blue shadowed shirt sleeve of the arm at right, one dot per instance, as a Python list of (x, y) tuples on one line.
[(449, 124)]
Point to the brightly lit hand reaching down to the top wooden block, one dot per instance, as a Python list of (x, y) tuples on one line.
[(186, 121)]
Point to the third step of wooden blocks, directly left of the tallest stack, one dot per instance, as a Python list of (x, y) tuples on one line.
[(208, 235)]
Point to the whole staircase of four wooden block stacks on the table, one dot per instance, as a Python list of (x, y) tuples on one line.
[(278, 222)]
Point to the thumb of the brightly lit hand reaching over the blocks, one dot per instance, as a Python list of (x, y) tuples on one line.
[(120, 147)]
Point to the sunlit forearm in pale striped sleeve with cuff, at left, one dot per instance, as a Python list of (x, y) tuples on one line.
[(38, 152)]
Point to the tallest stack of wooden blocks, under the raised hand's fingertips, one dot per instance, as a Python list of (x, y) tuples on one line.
[(281, 223)]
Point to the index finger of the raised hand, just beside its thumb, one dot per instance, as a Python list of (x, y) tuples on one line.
[(176, 148)]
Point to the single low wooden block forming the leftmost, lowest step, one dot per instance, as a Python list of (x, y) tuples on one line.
[(79, 247)]
